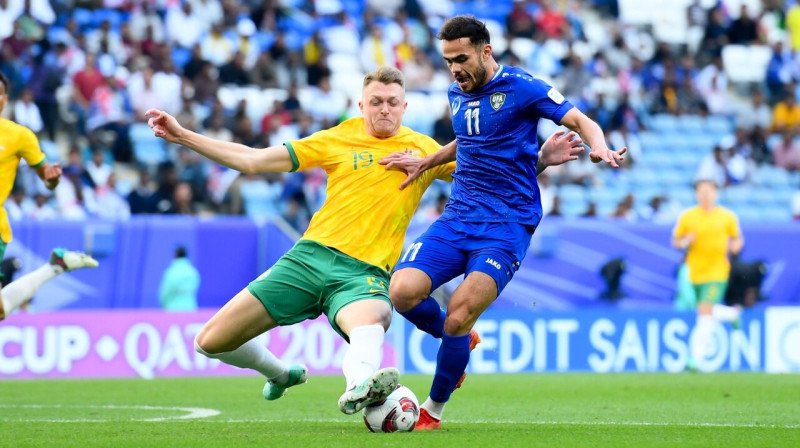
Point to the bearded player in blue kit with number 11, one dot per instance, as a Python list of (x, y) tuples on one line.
[(494, 206)]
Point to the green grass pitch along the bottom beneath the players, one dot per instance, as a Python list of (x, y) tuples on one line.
[(569, 410)]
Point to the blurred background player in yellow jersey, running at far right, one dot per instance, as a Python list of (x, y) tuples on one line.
[(708, 233)]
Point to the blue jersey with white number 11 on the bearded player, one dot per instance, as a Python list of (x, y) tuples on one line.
[(496, 132)]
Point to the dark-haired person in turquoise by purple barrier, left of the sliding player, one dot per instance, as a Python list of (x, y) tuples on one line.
[(179, 284)]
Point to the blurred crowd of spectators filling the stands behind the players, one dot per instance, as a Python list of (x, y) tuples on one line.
[(85, 71)]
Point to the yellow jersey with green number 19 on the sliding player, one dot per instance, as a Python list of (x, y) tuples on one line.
[(365, 215)]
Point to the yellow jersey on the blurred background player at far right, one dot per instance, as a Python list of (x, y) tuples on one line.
[(707, 256)]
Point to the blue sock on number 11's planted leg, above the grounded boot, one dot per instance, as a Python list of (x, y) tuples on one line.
[(451, 362)]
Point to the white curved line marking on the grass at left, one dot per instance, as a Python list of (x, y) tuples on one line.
[(191, 413)]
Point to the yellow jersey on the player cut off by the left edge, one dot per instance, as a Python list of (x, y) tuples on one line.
[(16, 142)]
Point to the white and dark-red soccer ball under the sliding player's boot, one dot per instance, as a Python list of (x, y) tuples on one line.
[(398, 412)]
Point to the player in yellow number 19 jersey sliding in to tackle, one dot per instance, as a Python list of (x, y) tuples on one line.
[(340, 267)]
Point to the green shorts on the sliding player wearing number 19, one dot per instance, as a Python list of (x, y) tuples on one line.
[(312, 279)]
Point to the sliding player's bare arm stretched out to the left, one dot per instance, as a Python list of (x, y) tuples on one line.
[(233, 155)]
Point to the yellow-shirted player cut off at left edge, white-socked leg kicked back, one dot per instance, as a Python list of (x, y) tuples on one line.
[(18, 142)]
